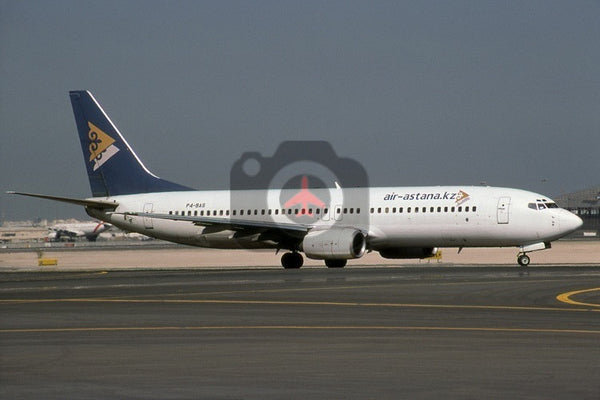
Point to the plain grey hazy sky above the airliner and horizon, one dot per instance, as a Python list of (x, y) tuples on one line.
[(420, 93)]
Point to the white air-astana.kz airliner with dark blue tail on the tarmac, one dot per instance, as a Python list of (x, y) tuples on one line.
[(397, 222)]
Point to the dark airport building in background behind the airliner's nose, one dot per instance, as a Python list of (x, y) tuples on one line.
[(586, 204)]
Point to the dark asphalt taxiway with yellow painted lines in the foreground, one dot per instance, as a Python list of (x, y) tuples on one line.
[(426, 332)]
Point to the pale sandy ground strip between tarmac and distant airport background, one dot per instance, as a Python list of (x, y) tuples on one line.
[(562, 252)]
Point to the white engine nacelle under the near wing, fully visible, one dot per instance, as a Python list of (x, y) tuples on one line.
[(334, 243)]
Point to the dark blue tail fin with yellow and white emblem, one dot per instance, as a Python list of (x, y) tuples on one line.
[(112, 166)]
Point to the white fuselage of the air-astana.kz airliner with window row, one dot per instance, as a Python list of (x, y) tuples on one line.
[(434, 216)]
